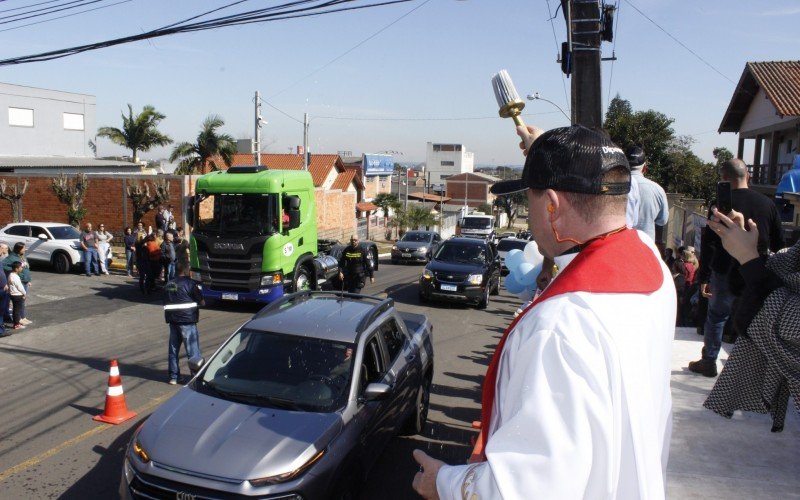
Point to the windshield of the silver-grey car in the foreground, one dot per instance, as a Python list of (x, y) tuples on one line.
[(280, 371)]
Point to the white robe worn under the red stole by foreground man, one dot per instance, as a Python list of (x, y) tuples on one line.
[(583, 406)]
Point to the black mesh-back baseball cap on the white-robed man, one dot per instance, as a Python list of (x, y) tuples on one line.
[(572, 159)]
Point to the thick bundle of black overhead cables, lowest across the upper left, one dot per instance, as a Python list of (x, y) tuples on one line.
[(256, 16)]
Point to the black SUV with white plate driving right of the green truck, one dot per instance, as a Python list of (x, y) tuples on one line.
[(463, 270)]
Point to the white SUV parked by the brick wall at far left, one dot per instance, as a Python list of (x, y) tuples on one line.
[(46, 242)]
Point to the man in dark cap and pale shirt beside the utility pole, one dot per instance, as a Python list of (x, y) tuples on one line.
[(653, 207)]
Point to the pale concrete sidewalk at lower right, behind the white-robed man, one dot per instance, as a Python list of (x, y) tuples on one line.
[(714, 457)]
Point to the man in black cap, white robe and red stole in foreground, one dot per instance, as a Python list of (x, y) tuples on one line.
[(576, 401)]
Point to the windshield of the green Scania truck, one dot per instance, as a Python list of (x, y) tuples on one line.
[(252, 214)]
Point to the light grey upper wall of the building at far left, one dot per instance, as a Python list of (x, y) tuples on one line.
[(47, 137)]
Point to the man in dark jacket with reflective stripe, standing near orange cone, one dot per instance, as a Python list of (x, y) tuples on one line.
[(182, 301)]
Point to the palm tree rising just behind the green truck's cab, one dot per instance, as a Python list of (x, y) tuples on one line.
[(208, 149)]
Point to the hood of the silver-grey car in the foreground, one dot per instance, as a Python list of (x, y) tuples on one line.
[(199, 433)]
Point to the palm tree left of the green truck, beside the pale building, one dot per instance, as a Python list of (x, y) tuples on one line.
[(138, 132)]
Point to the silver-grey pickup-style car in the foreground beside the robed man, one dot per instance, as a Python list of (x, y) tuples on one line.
[(296, 404)]
